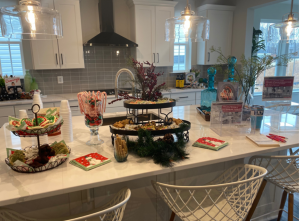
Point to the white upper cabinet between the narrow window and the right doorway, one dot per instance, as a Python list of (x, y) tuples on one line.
[(220, 35)]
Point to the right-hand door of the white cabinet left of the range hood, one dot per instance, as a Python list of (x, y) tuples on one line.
[(70, 46)]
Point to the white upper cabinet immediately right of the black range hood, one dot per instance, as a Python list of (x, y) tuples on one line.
[(148, 31)]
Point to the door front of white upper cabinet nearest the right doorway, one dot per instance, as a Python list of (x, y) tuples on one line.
[(220, 33)]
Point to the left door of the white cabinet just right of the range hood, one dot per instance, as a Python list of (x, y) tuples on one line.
[(145, 33)]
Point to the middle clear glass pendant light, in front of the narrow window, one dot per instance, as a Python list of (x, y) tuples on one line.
[(187, 26)]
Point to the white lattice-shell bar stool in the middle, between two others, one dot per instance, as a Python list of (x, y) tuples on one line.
[(229, 197)]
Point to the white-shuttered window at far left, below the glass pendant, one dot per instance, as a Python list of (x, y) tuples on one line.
[(11, 56)]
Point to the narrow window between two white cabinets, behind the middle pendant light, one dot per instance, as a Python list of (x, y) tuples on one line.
[(181, 51)]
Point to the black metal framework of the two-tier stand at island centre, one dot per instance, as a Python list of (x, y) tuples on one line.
[(135, 112)]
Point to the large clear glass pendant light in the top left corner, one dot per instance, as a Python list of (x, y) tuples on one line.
[(30, 21)]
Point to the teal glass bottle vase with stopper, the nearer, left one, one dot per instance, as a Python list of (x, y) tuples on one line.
[(209, 95)]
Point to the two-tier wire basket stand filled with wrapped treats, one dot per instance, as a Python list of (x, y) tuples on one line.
[(37, 158)]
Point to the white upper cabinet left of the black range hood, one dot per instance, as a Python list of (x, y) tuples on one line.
[(64, 53)]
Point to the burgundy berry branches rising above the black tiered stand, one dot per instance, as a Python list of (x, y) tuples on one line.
[(146, 81)]
